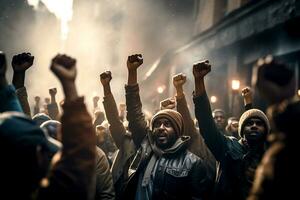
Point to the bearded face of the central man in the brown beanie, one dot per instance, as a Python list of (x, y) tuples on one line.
[(164, 133)]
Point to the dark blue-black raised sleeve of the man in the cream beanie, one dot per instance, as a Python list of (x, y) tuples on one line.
[(213, 138)]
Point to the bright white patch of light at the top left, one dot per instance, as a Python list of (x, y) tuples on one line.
[(62, 9)]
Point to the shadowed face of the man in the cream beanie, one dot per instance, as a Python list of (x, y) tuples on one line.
[(254, 129)]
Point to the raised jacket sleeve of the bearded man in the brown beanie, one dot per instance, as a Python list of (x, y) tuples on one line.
[(137, 123)]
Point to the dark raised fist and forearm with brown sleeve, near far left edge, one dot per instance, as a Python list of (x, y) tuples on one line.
[(20, 63)]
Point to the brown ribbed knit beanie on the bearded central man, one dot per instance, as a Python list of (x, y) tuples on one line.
[(174, 117)]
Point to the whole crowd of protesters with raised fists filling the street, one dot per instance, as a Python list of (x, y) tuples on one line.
[(122, 153)]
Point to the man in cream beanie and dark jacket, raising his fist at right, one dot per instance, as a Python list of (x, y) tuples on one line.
[(237, 159)]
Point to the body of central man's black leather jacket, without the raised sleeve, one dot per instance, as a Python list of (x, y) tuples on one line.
[(179, 174)]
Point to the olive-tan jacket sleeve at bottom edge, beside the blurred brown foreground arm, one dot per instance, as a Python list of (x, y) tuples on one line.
[(104, 182)]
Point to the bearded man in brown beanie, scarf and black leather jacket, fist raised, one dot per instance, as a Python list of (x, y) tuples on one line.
[(163, 168)]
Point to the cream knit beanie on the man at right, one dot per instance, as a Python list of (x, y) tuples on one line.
[(253, 113)]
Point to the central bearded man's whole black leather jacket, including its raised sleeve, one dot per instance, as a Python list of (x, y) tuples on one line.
[(178, 174)]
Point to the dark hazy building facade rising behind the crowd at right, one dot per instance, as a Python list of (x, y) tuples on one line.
[(233, 35)]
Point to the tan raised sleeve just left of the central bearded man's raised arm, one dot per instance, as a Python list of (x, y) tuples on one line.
[(116, 127)]
